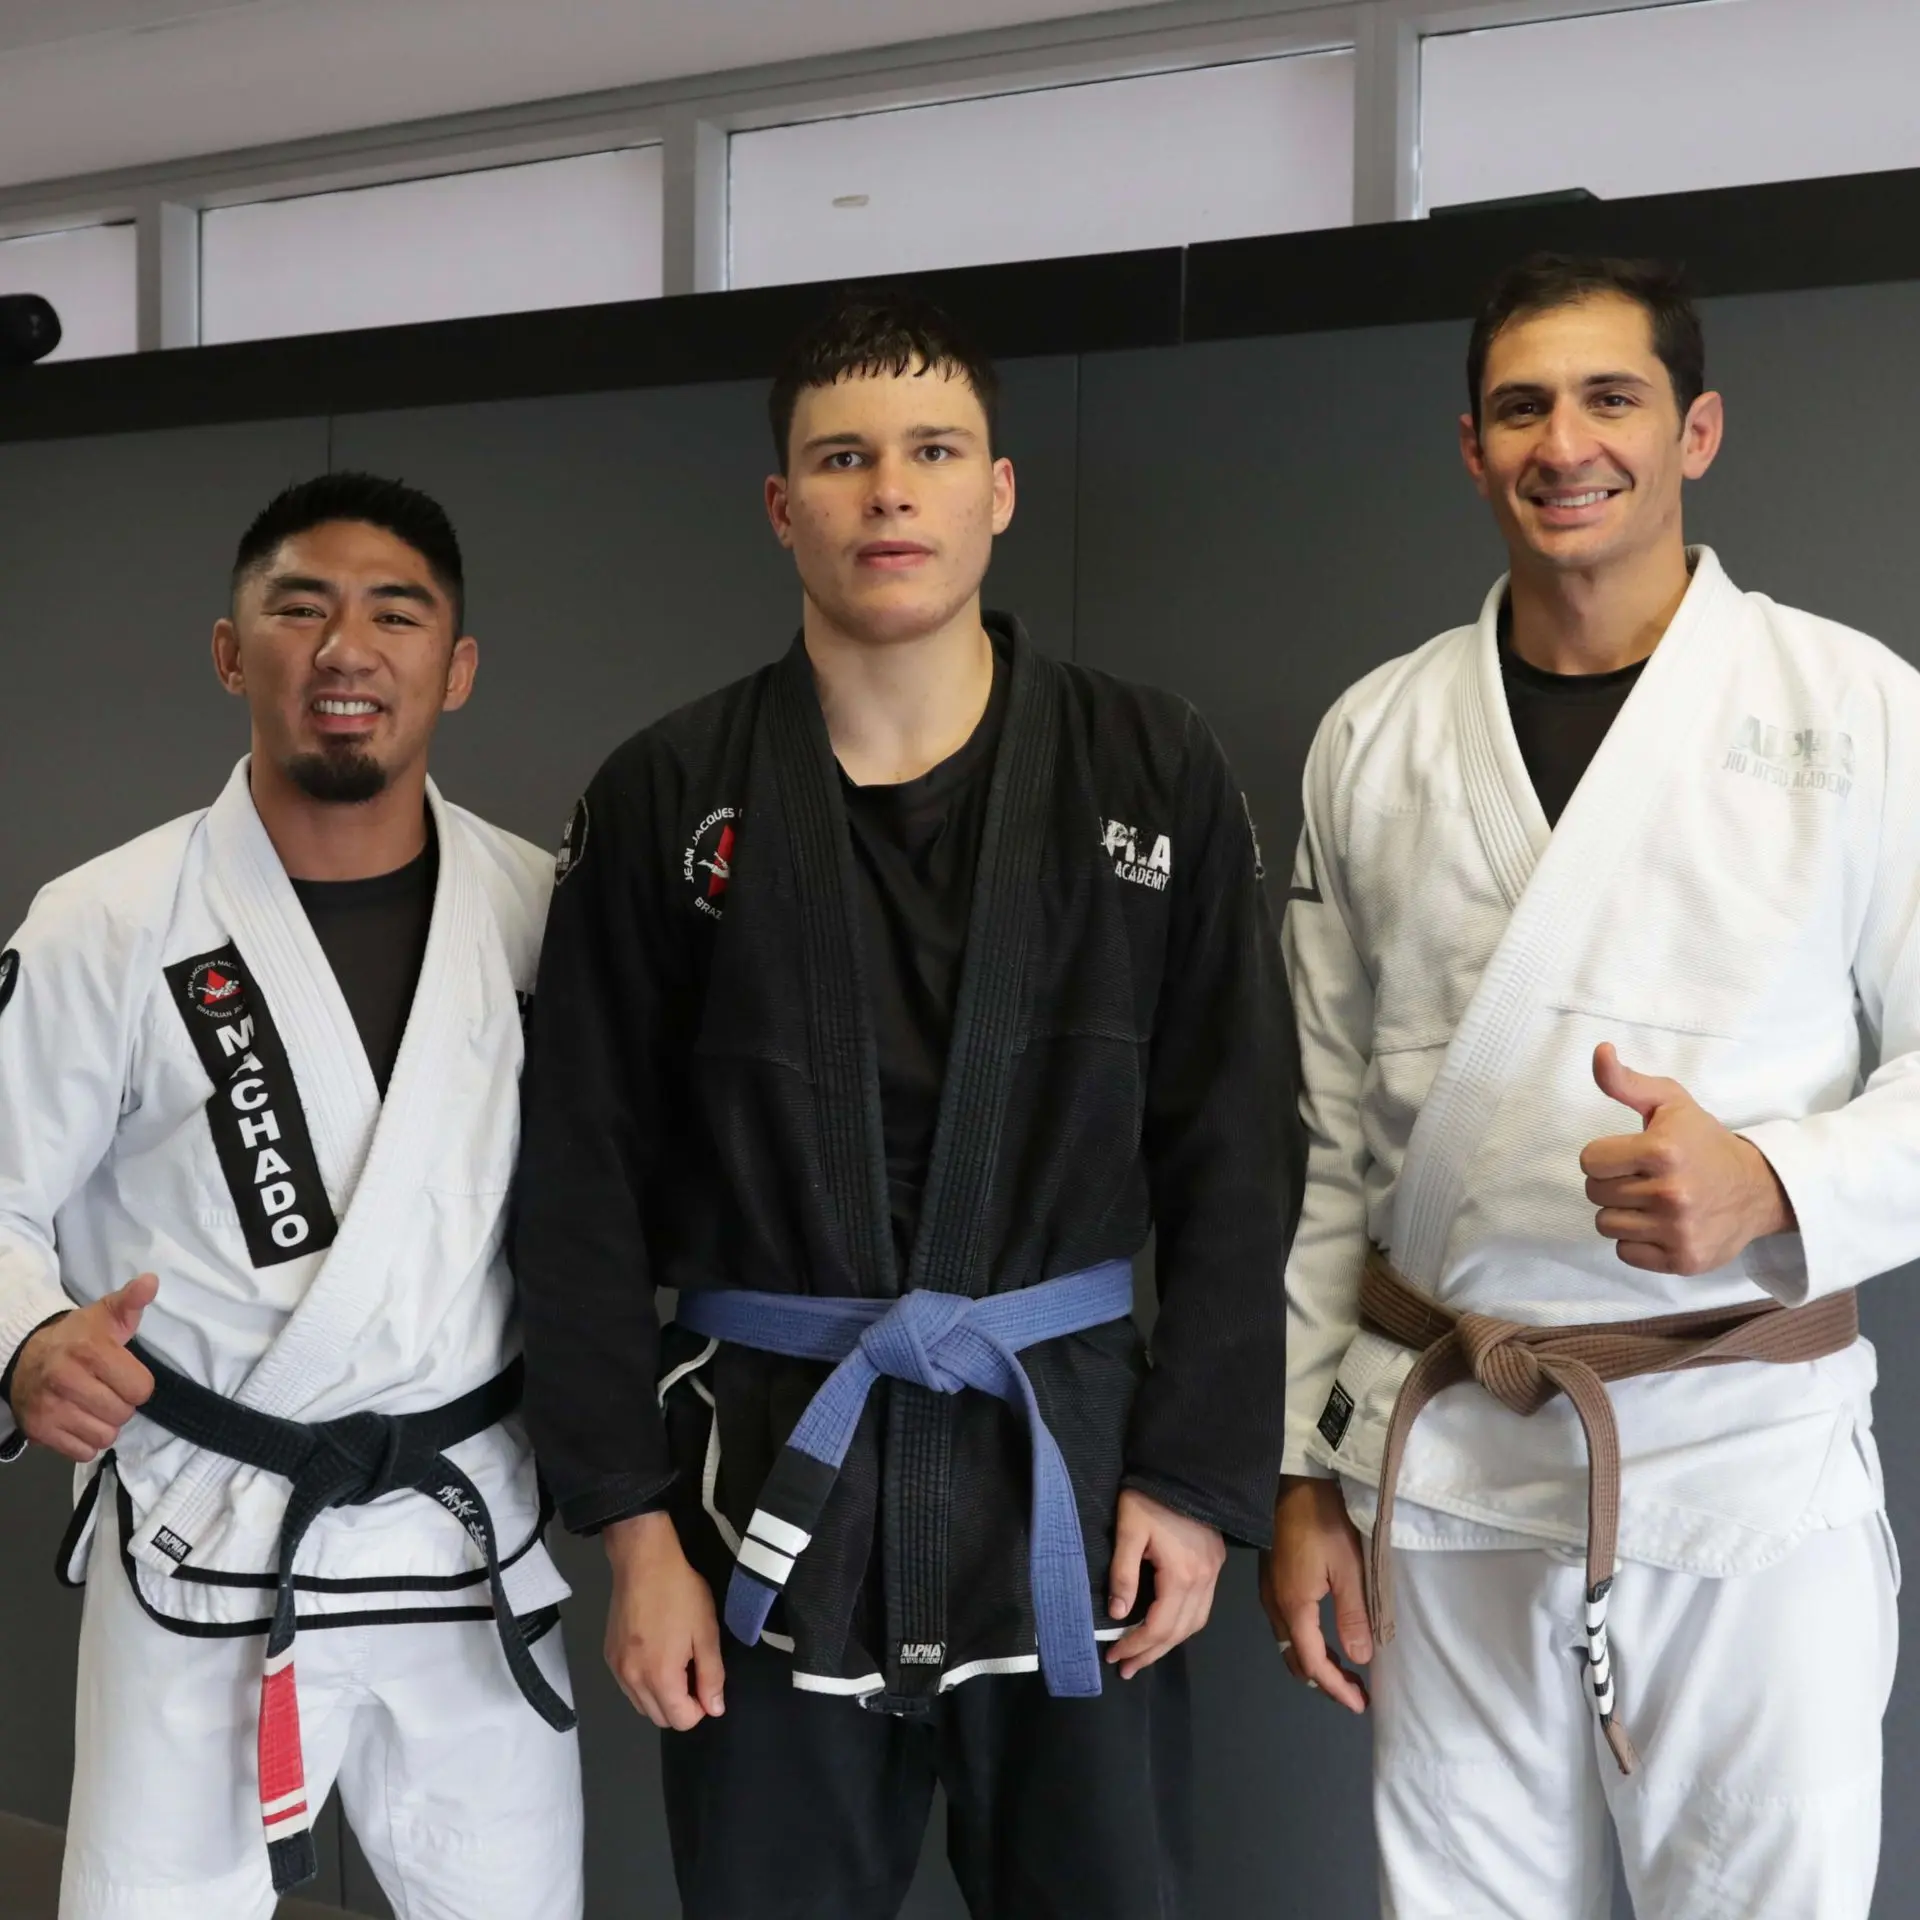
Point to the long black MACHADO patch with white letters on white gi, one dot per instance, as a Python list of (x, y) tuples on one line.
[(260, 1128)]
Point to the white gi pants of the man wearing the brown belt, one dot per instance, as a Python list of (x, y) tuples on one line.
[(1756, 1706)]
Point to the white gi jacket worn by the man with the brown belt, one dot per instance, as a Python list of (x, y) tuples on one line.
[(1731, 898)]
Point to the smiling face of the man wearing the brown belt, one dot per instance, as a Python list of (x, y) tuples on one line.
[(1581, 448)]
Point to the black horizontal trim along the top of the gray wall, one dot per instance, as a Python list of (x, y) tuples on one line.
[(1846, 231)]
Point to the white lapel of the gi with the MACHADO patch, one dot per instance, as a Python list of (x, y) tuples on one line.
[(370, 1151)]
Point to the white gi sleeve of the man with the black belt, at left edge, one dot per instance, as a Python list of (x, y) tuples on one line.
[(66, 1040)]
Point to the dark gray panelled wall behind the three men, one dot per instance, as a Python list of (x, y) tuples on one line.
[(1253, 525)]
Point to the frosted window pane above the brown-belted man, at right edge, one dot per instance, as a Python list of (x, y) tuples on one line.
[(1669, 99)]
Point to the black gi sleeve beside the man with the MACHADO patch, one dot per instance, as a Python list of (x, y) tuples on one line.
[(588, 1136)]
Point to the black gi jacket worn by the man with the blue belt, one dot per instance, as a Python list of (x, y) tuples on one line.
[(704, 1111)]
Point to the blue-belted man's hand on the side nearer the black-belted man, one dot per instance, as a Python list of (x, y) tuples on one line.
[(661, 1625)]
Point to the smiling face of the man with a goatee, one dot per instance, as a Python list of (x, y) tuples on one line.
[(343, 646)]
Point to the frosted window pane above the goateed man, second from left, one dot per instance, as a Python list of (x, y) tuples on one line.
[(558, 233)]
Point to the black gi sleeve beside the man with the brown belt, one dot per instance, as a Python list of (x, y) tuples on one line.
[(1224, 1164)]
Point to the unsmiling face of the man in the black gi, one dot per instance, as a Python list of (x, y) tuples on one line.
[(892, 502)]
